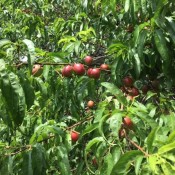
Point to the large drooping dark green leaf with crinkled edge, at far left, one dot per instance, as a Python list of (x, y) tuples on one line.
[(13, 94)]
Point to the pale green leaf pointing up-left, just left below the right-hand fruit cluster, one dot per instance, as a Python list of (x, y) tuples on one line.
[(115, 91)]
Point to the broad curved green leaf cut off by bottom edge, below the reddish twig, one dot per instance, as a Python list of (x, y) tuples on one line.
[(125, 160)]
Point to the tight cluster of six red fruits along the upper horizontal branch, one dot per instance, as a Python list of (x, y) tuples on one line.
[(79, 69)]
